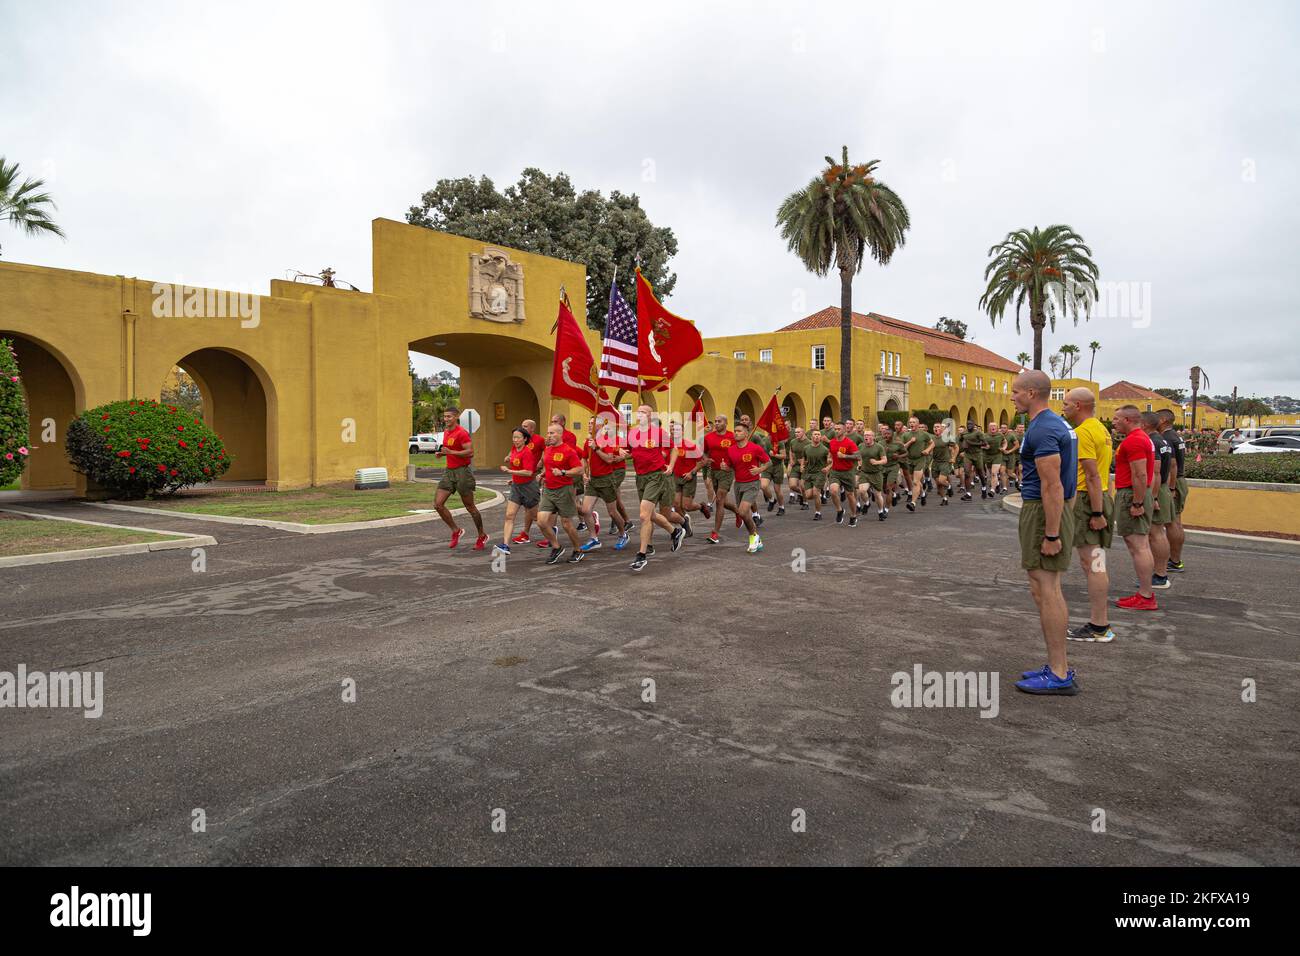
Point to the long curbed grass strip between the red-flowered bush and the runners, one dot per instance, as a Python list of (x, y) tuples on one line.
[(324, 505)]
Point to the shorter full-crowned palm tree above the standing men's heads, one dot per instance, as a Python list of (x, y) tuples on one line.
[(1051, 269)]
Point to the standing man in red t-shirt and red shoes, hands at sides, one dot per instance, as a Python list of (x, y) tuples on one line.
[(1136, 468)]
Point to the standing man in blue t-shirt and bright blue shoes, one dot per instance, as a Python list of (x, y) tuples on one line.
[(1051, 473)]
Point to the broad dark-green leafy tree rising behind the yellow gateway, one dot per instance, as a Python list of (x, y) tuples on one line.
[(547, 215)]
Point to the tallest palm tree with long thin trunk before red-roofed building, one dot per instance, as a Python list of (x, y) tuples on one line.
[(834, 222)]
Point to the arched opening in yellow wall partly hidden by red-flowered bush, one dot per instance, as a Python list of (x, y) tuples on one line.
[(240, 405)]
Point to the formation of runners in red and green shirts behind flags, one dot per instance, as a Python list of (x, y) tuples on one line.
[(557, 482)]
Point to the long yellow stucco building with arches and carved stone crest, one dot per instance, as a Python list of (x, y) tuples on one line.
[(309, 384)]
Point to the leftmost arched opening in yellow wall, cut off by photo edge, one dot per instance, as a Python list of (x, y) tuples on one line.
[(55, 396)]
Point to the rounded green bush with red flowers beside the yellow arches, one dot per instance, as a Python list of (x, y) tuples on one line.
[(138, 448)]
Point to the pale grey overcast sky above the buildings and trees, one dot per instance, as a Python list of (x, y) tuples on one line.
[(227, 144)]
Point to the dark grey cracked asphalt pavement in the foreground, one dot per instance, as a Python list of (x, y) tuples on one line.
[(504, 717)]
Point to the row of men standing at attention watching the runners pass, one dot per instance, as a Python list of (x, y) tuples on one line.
[(1073, 503)]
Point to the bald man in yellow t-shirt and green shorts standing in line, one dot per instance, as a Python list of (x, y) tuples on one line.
[(1093, 511)]
